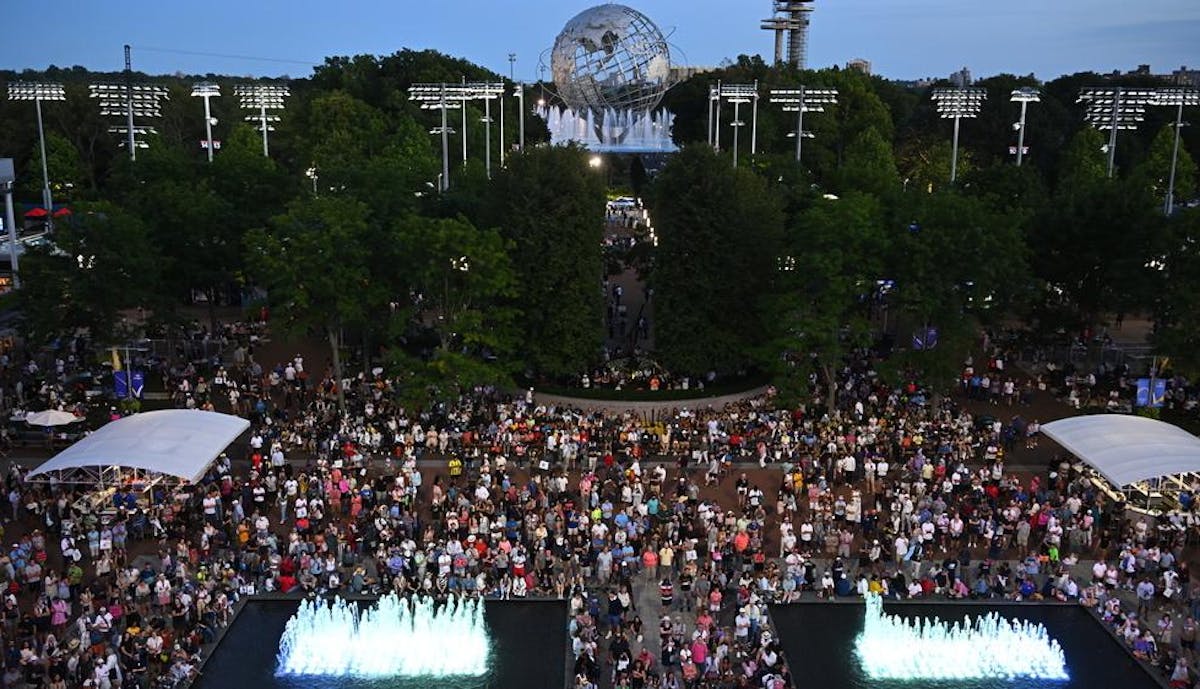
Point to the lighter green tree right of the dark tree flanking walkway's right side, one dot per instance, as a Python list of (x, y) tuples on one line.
[(837, 251)]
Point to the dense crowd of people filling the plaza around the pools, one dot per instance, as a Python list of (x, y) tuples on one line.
[(692, 522)]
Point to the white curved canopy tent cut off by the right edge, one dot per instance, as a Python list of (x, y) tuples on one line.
[(1127, 450)]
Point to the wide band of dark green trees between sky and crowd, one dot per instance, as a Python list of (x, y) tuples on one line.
[(775, 266)]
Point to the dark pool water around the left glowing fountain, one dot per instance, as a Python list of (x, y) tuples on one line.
[(529, 652)]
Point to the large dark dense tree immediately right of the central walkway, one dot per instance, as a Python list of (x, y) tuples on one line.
[(721, 244)]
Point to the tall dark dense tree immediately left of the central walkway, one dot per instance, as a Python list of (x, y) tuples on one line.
[(550, 206)]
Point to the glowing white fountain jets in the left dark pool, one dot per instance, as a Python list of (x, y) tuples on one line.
[(394, 638)]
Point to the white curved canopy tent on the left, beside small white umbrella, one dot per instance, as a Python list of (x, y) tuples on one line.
[(178, 444)]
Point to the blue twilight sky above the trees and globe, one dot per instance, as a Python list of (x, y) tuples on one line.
[(903, 40)]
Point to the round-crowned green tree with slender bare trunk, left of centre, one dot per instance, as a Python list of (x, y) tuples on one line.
[(314, 263)]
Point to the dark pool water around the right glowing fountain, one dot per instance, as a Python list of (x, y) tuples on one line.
[(819, 645)]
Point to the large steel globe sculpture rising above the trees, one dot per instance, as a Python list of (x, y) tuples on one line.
[(611, 65)]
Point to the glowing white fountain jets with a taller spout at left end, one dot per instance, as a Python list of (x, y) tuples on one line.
[(991, 648)]
